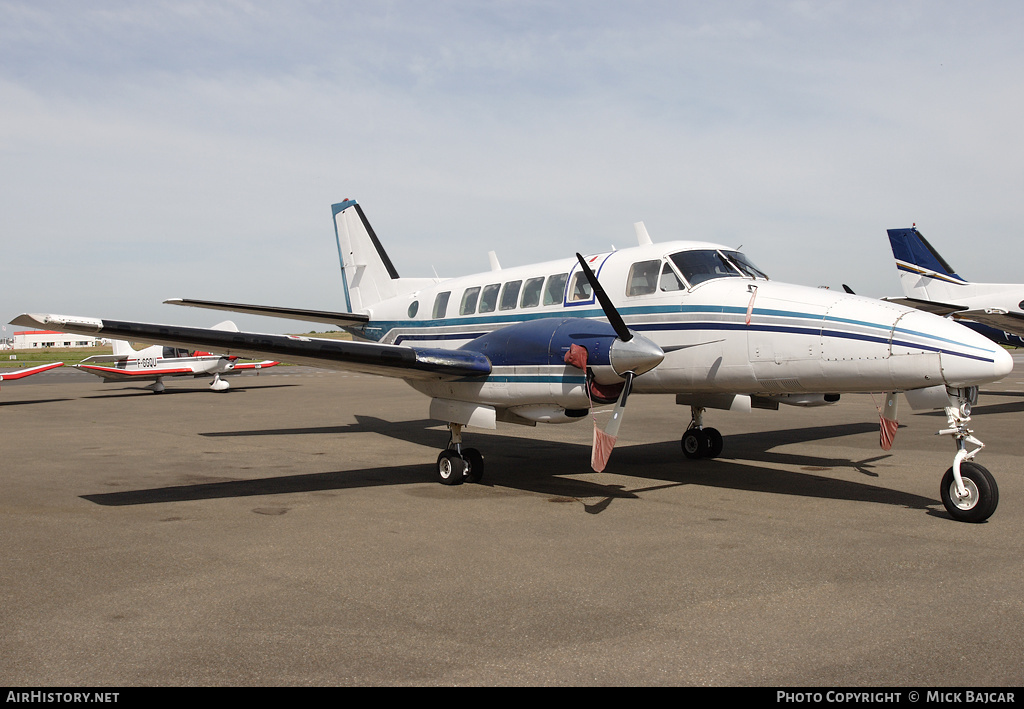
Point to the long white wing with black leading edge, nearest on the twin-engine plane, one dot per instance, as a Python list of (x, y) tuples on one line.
[(386, 360)]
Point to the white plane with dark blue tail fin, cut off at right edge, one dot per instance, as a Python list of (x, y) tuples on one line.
[(995, 310)]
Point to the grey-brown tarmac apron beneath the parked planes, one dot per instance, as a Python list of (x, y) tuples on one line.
[(290, 532)]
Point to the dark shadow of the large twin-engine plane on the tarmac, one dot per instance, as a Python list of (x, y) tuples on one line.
[(543, 468)]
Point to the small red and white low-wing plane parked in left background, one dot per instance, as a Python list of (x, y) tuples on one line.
[(157, 362)]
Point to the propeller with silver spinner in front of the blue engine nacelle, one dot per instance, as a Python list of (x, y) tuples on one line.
[(628, 361)]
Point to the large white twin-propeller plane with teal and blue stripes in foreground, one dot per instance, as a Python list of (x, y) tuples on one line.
[(544, 343)]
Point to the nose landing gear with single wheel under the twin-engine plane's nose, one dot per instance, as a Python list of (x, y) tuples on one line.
[(968, 490)]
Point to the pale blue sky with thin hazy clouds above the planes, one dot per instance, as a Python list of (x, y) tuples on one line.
[(194, 149)]
